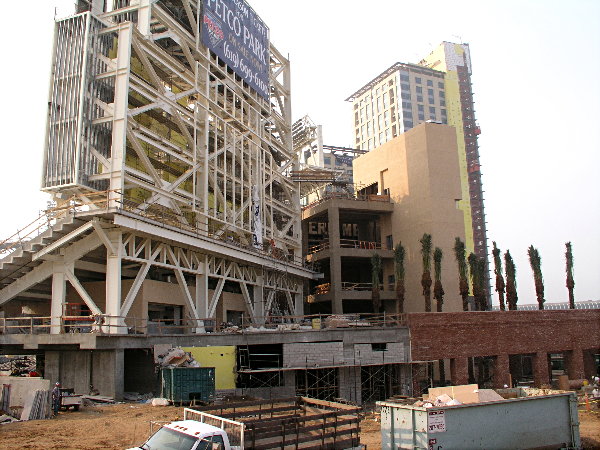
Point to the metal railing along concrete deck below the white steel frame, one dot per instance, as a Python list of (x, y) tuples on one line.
[(106, 325)]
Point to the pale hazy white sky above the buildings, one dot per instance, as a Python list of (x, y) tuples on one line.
[(536, 84)]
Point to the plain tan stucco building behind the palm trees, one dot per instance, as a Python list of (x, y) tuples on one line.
[(419, 170)]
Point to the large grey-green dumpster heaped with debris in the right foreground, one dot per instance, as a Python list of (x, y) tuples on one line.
[(517, 423)]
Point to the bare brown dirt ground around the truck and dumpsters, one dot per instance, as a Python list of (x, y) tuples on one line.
[(125, 425)]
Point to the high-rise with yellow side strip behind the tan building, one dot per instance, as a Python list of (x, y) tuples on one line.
[(437, 89)]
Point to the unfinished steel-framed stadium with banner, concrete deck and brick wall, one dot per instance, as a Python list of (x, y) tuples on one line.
[(176, 222)]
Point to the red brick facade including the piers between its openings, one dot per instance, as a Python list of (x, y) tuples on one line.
[(498, 334)]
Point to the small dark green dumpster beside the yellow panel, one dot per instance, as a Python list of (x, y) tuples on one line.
[(188, 384)]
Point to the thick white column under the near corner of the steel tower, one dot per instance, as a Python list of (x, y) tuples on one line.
[(116, 323)]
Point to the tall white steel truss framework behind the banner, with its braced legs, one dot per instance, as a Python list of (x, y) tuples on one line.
[(141, 110)]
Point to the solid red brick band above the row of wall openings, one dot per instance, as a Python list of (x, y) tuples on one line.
[(453, 335)]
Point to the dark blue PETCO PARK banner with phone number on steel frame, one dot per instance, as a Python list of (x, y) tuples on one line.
[(232, 30)]
